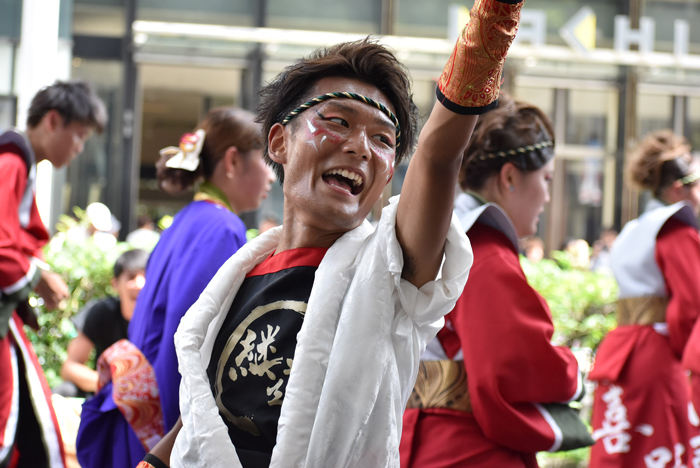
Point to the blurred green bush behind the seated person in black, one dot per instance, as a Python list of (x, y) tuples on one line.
[(86, 267)]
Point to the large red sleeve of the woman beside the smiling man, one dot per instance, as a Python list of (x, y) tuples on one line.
[(505, 329)]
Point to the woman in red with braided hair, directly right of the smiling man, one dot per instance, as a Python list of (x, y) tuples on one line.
[(492, 389)]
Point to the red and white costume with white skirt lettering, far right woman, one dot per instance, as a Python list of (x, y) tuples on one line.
[(641, 412)]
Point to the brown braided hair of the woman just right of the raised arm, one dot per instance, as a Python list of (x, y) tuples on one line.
[(515, 132)]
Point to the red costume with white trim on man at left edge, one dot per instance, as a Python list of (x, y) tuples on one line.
[(26, 412)]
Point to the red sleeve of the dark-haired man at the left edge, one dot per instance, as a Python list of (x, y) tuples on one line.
[(15, 251)]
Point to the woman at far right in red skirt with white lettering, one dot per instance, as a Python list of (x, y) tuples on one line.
[(641, 412)]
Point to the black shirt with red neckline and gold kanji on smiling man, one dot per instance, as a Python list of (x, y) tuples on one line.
[(254, 350)]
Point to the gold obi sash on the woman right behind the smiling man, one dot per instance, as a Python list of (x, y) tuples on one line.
[(441, 384)]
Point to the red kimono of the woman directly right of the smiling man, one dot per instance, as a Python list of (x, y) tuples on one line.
[(501, 328)]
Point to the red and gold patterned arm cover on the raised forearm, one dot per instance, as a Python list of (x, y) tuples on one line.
[(471, 80)]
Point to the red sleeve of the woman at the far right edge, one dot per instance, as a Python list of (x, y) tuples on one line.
[(678, 257)]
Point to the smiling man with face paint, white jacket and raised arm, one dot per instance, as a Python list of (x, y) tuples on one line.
[(304, 348)]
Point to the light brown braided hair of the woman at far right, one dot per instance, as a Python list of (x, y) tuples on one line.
[(660, 159)]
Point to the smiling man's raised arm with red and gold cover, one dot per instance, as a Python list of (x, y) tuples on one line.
[(468, 86)]
